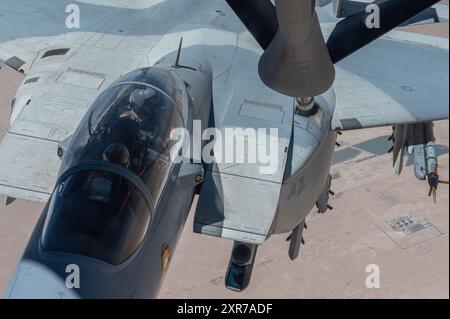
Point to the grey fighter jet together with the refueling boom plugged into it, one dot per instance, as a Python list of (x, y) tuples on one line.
[(109, 84)]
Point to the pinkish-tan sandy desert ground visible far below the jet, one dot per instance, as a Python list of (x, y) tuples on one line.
[(339, 244)]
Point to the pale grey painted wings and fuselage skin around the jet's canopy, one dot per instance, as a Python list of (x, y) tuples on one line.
[(58, 90)]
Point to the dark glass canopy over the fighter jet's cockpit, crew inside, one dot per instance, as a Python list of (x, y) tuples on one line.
[(116, 168)]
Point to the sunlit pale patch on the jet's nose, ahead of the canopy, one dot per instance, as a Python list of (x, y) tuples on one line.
[(32, 280)]
